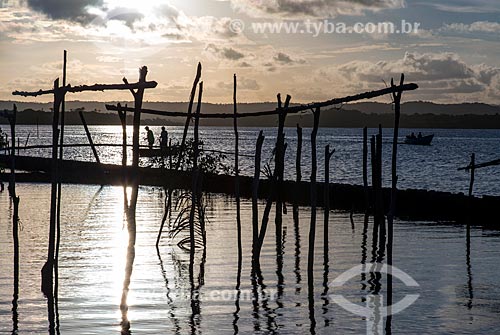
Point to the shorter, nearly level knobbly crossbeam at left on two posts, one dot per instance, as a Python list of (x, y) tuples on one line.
[(84, 88)]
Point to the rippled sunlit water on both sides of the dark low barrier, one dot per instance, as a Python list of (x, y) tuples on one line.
[(457, 281)]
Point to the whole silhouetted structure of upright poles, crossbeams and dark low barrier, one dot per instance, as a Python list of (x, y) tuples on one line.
[(275, 190)]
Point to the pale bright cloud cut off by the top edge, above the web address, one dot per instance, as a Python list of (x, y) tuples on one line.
[(311, 8)]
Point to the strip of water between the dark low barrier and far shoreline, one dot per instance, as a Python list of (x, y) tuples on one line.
[(433, 167)]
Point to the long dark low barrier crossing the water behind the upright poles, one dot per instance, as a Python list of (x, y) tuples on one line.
[(412, 204)]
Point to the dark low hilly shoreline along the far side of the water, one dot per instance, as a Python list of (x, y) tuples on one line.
[(329, 118)]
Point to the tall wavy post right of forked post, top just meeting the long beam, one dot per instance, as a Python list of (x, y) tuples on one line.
[(312, 227)]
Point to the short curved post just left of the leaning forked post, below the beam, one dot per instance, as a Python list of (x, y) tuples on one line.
[(255, 195)]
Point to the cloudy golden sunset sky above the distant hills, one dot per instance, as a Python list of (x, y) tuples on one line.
[(313, 50)]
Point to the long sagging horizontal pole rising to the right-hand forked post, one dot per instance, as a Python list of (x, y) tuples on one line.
[(289, 110)]
